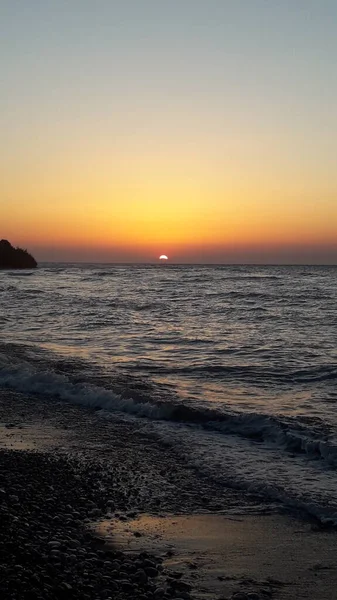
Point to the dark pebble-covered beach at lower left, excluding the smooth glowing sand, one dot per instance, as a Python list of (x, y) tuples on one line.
[(52, 490)]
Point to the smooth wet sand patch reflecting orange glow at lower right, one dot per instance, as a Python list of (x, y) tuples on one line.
[(264, 555)]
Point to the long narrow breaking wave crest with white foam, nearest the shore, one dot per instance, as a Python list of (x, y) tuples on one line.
[(286, 433)]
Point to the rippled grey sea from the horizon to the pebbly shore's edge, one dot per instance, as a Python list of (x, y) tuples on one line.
[(234, 365)]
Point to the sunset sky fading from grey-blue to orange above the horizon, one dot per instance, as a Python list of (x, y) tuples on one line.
[(205, 130)]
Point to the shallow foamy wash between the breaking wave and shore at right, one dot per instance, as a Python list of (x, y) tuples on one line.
[(243, 464)]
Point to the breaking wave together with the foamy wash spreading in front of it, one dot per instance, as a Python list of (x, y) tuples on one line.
[(191, 428)]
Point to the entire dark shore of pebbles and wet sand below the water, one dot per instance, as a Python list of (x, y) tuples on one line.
[(150, 500)]
